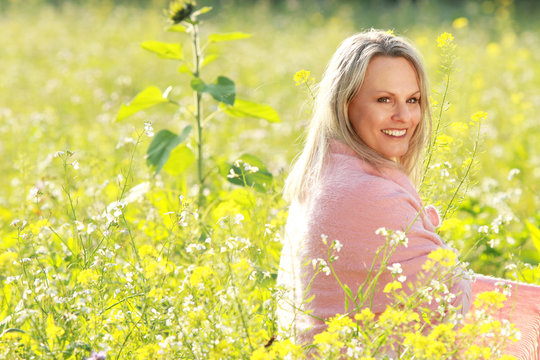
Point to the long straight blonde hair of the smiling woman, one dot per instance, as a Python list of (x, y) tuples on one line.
[(342, 79)]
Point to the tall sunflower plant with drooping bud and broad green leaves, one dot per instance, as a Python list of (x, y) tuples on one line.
[(184, 15)]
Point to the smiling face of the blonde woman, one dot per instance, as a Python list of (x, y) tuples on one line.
[(386, 108)]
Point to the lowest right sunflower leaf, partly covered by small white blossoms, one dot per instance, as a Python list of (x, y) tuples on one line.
[(248, 170)]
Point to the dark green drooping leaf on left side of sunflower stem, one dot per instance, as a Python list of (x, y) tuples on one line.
[(160, 148)]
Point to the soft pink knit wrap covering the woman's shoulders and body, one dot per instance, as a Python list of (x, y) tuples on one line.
[(350, 203)]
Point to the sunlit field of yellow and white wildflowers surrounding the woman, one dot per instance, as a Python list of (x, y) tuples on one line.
[(121, 240)]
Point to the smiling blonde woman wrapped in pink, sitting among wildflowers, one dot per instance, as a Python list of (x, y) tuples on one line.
[(355, 175)]
